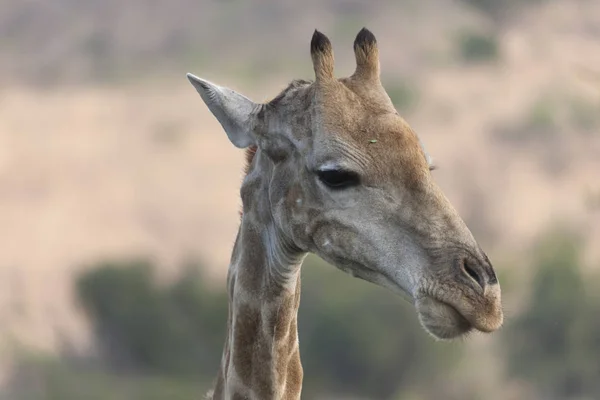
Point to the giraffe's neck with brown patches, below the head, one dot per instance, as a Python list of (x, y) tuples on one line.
[(261, 357)]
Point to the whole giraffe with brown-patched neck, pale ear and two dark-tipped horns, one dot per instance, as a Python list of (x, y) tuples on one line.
[(332, 169)]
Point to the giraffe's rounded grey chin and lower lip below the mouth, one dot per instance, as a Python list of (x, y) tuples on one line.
[(441, 320)]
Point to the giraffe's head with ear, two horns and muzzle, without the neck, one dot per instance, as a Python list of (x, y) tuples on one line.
[(347, 179)]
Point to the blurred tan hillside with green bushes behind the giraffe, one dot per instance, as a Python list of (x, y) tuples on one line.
[(119, 193)]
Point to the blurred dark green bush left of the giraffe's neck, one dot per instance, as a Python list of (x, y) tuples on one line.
[(177, 329)]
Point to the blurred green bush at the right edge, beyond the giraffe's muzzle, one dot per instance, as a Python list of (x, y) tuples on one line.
[(554, 343)]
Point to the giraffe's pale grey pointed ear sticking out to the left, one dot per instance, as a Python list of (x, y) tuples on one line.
[(233, 110)]
